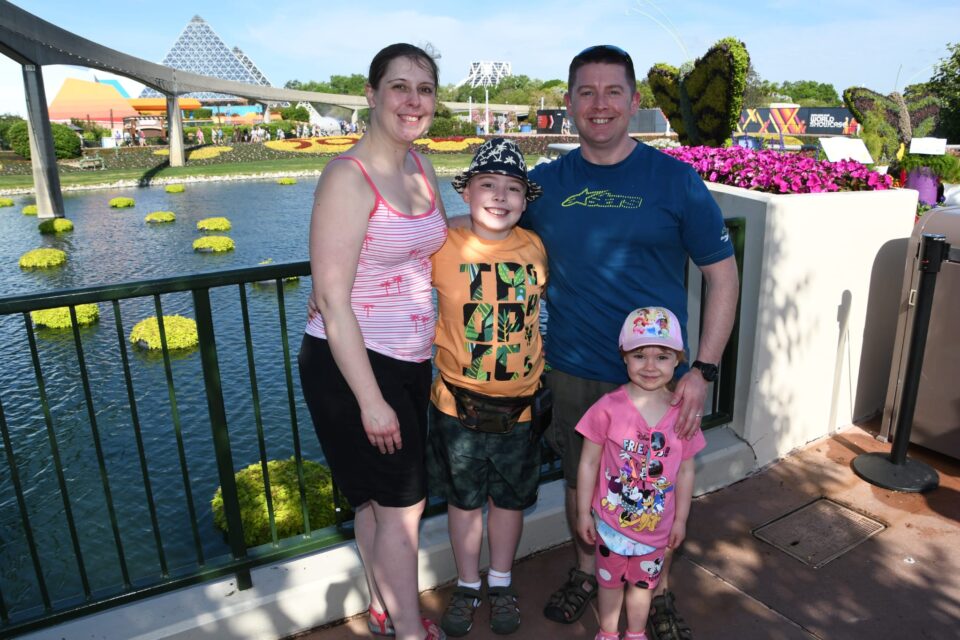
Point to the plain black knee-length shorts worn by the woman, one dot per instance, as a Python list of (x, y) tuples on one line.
[(360, 471)]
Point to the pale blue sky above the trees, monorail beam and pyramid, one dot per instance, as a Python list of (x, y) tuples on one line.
[(843, 42)]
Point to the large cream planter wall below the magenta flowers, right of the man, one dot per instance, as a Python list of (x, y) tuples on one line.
[(821, 275)]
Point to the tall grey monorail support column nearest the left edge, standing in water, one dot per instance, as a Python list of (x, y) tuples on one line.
[(43, 158)]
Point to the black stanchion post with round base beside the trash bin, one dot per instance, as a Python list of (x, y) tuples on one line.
[(895, 471)]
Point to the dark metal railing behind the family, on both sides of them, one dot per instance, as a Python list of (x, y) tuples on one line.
[(145, 533)]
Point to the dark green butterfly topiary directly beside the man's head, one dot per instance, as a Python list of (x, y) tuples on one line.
[(703, 102)]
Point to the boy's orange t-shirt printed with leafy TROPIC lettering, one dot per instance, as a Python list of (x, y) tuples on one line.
[(488, 326)]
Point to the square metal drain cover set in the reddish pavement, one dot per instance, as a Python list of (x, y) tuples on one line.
[(818, 532)]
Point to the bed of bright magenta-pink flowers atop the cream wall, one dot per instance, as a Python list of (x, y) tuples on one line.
[(777, 172)]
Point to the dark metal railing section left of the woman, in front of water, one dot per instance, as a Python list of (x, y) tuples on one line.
[(91, 474)]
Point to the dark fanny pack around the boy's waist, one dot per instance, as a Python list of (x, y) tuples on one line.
[(490, 414)]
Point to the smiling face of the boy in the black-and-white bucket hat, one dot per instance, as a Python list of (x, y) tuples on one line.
[(496, 203)]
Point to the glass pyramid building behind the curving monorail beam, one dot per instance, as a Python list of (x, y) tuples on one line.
[(200, 50)]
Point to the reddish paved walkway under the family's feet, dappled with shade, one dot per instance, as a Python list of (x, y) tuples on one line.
[(902, 583)]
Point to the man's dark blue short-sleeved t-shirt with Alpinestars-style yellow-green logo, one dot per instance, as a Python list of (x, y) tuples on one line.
[(618, 238)]
